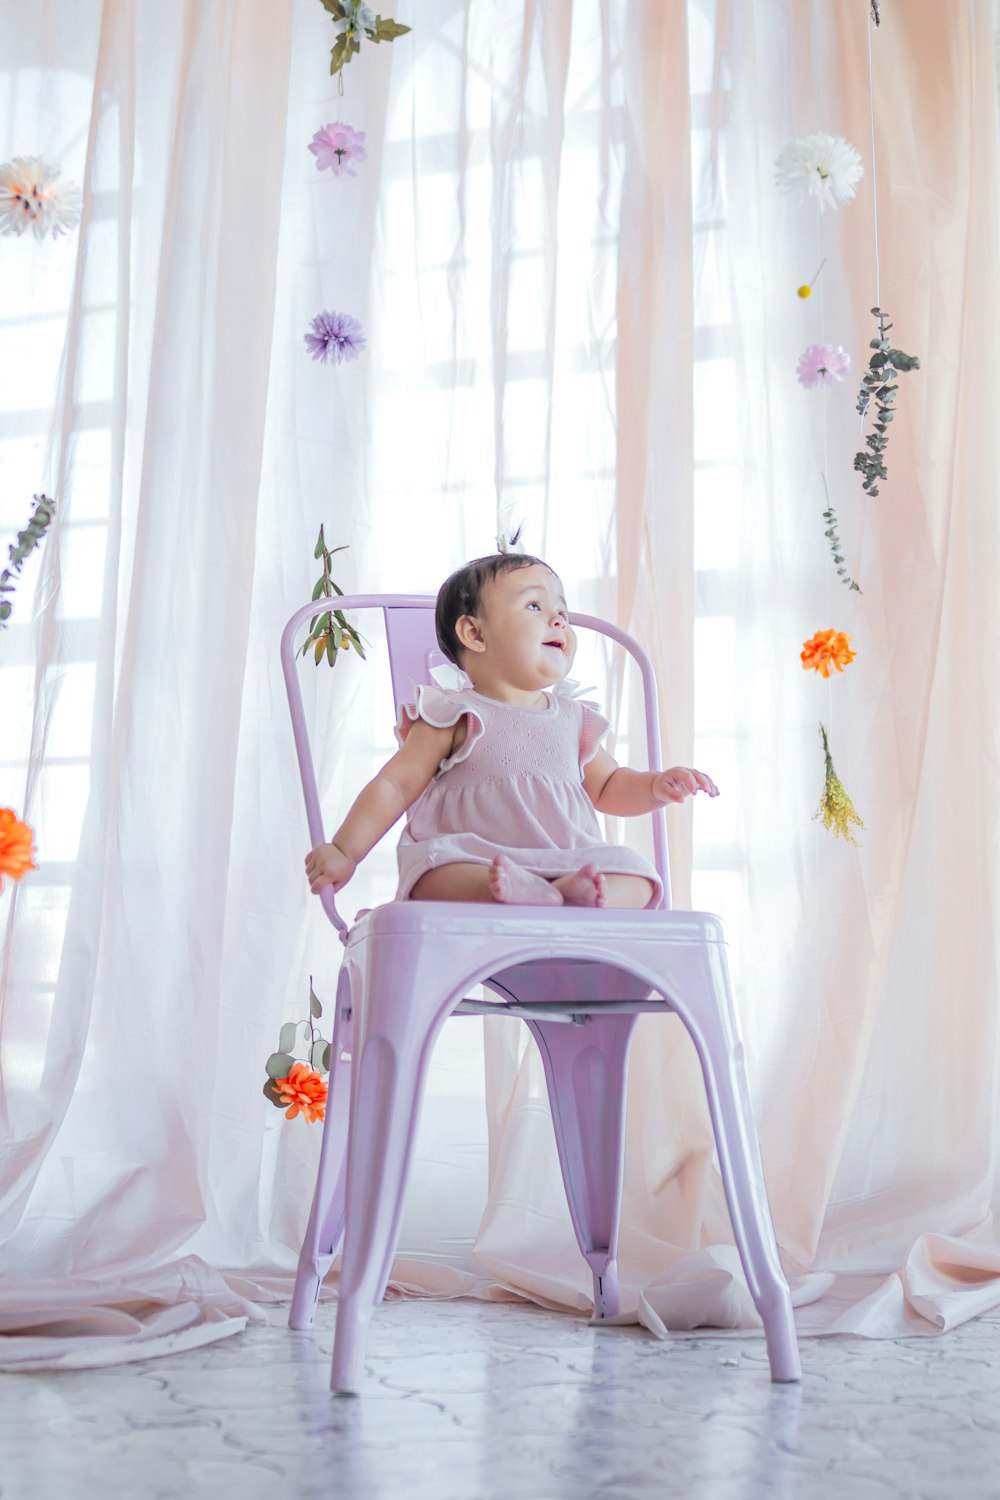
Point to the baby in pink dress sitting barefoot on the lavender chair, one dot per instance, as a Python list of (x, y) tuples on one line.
[(501, 781)]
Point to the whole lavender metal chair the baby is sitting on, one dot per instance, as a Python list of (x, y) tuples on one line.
[(578, 979)]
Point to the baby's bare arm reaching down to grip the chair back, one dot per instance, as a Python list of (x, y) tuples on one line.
[(386, 799)]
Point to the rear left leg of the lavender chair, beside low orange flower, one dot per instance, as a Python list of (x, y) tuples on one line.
[(326, 1216)]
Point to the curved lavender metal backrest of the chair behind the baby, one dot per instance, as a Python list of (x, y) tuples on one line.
[(413, 653)]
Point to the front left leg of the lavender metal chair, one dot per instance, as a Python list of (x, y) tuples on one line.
[(391, 1069)]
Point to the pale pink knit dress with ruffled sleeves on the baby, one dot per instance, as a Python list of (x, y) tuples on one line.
[(516, 787)]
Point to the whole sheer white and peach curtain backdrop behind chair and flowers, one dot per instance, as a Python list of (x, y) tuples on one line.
[(578, 284)]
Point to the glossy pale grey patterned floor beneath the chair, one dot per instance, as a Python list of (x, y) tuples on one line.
[(470, 1402)]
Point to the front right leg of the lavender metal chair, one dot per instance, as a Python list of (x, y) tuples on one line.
[(725, 1070)]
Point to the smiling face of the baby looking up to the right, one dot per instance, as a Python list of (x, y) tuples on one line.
[(527, 628)]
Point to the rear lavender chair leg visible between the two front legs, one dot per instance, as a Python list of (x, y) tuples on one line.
[(585, 1070)]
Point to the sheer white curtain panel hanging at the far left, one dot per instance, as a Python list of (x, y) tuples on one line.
[(143, 346)]
